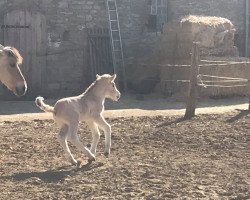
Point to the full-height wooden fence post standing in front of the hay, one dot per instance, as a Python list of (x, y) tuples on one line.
[(192, 92)]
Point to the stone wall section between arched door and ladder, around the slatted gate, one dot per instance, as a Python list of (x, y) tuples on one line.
[(67, 68)]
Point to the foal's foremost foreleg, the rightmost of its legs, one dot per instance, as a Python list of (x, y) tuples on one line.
[(107, 131)]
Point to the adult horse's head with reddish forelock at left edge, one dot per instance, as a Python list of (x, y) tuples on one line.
[(10, 73)]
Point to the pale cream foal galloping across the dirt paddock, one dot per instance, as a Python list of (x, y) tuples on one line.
[(89, 106)]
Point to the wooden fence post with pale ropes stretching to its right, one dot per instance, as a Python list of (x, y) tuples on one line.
[(207, 80)]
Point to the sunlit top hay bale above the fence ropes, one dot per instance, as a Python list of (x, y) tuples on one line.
[(215, 35)]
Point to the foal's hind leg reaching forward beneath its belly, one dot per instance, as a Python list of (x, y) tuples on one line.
[(73, 128)]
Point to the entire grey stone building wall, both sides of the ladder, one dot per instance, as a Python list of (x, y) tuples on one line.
[(66, 21)]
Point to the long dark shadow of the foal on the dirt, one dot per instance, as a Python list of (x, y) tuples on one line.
[(54, 175)]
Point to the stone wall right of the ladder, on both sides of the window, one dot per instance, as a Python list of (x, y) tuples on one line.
[(139, 42)]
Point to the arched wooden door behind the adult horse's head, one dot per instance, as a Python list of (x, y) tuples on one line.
[(26, 31)]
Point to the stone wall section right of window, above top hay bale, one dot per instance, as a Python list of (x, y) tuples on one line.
[(234, 10)]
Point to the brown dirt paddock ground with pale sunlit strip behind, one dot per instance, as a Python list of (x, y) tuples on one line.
[(153, 156)]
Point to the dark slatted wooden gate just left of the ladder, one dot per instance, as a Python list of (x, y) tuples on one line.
[(100, 54)]
